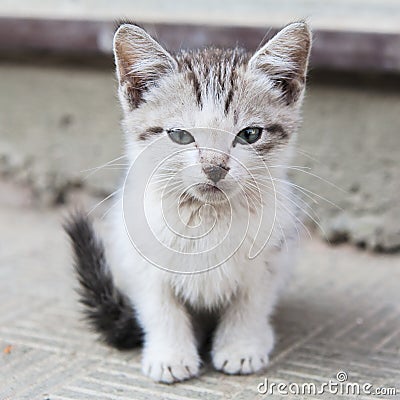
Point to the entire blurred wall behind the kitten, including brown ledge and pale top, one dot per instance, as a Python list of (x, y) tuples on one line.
[(59, 115)]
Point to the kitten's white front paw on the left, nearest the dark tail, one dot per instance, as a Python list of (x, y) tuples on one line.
[(170, 365)]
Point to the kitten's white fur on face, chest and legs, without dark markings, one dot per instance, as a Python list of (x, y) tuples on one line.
[(242, 289)]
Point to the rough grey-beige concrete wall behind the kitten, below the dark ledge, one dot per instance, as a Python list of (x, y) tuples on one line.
[(56, 122)]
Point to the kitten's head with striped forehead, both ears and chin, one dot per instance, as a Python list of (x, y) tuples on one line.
[(216, 122)]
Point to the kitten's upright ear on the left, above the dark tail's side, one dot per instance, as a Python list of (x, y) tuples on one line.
[(140, 61)]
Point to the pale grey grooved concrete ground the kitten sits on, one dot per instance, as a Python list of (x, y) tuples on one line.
[(340, 313)]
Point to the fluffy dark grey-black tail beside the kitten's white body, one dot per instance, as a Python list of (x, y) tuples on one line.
[(108, 310)]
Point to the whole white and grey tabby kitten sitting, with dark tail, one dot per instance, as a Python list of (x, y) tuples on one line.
[(204, 222)]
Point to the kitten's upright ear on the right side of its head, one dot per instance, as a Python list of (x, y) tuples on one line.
[(284, 59)]
